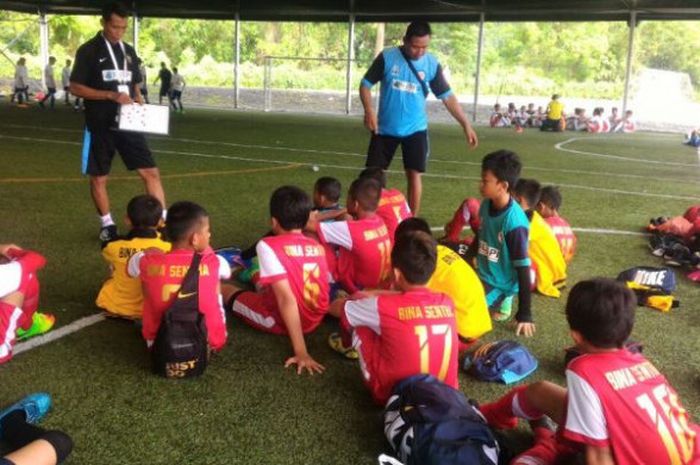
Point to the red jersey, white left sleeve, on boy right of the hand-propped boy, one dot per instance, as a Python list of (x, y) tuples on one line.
[(364, 259)]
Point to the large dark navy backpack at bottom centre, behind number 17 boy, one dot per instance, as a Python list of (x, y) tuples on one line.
[(430, 423)]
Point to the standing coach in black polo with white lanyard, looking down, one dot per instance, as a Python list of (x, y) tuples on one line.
[(106, 75)]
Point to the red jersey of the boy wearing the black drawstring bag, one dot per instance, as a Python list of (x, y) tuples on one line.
[(161, 277)]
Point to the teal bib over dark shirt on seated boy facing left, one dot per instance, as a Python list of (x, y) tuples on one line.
[(503, 242)]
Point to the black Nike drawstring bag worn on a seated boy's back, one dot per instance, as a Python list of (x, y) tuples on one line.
[(180, 349)]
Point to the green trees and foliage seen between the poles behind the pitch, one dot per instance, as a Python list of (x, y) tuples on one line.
[(577, 59)]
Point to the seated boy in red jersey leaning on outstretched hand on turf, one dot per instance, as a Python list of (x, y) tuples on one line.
[(293, 298)]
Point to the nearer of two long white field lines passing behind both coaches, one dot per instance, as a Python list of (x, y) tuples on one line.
[(357, 168)]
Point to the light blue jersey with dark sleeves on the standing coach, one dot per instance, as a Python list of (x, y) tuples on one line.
[(402, 99)]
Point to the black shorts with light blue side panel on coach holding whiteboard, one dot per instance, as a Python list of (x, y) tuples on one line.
[(131, 146)]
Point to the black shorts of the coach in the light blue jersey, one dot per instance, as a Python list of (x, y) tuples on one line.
[(415, 149)]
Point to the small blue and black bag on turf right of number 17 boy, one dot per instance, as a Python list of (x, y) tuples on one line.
[(502, 361)]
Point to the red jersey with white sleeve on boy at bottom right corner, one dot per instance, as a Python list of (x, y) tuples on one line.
[(621, 401)]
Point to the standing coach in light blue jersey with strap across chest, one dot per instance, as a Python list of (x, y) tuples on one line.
[(407, 74)]
